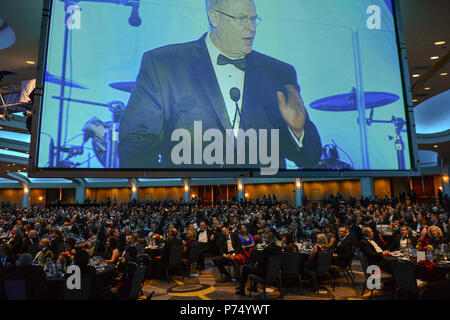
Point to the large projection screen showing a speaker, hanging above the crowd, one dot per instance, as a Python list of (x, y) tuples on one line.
[(272, 88)]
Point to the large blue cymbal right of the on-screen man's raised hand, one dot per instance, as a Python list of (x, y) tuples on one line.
[(347, 101)]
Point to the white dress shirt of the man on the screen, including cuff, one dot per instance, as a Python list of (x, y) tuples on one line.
[(228, 76)]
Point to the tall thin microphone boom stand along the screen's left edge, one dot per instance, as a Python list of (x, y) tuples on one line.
[(67, 4)]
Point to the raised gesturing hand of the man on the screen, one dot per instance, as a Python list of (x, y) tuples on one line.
[(293, 110)]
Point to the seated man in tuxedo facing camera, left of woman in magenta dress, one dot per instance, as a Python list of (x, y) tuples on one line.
[(228, 246)]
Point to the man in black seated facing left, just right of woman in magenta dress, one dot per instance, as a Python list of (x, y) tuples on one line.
[(271, 250)]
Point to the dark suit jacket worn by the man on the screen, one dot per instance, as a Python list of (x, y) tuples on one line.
[(177, 85)]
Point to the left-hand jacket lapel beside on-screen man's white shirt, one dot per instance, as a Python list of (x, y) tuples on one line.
[(208, 81)]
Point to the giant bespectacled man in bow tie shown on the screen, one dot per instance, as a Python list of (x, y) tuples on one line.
[(220, 81)]
